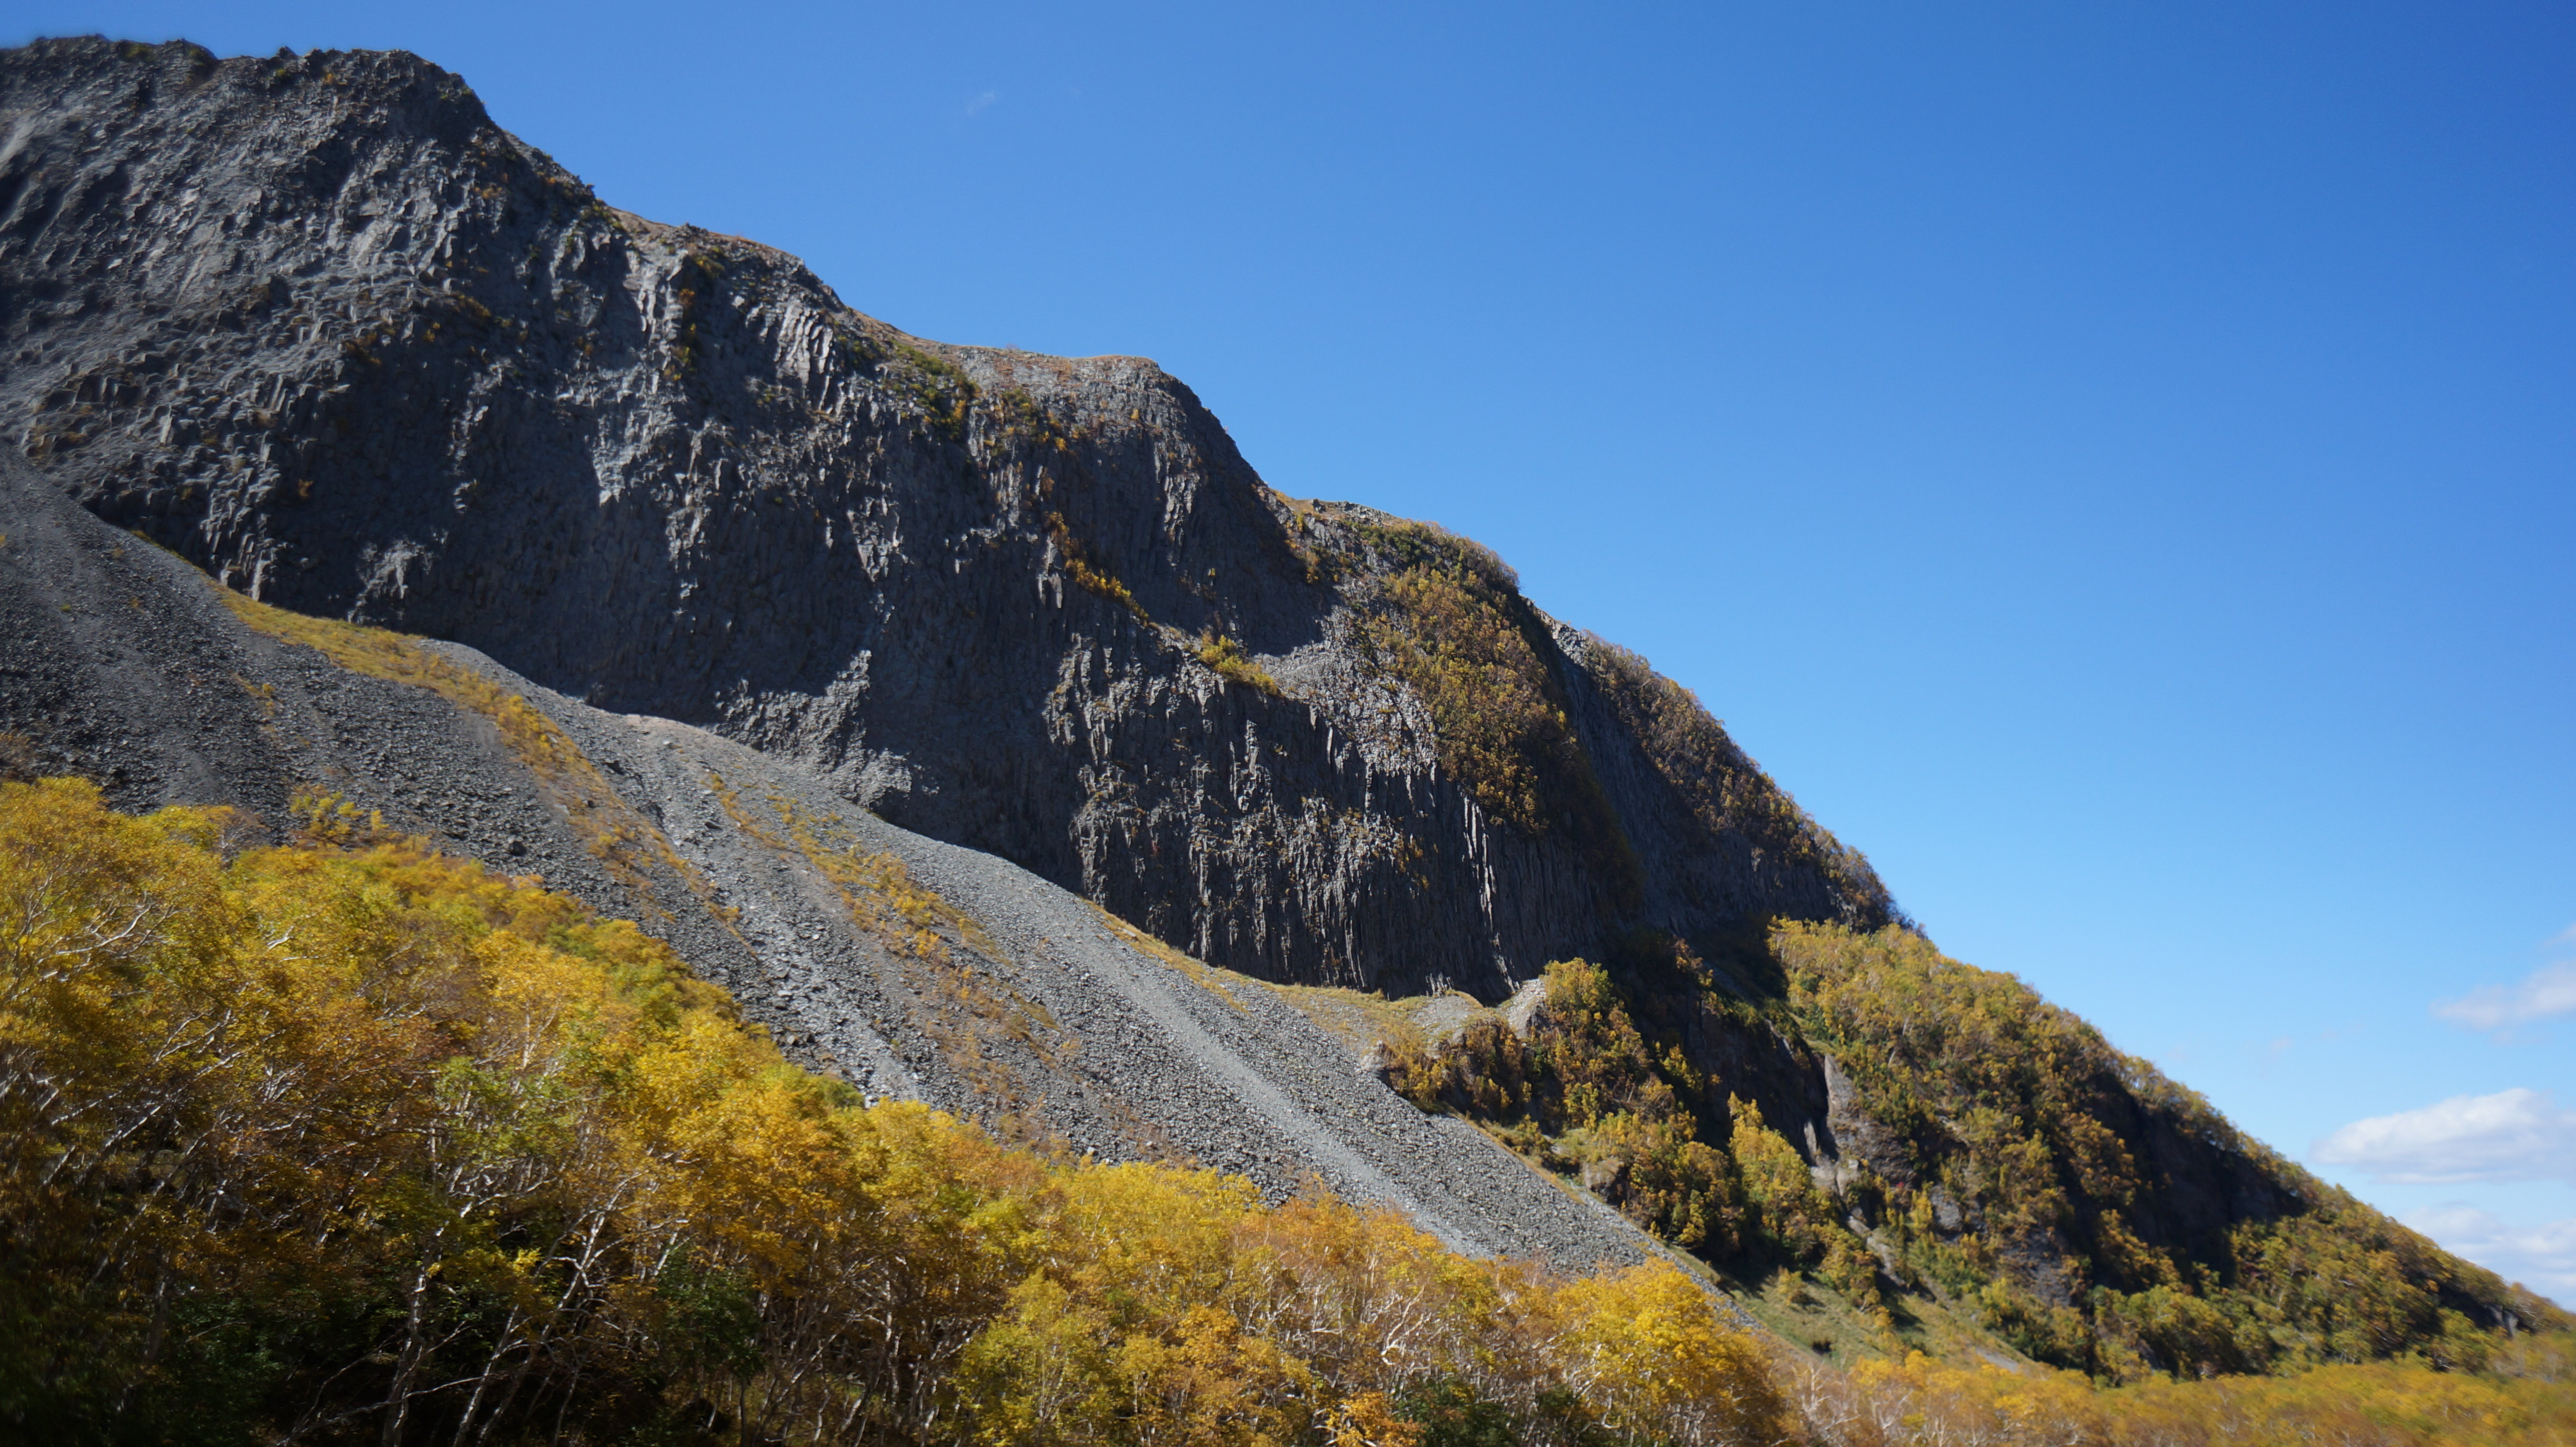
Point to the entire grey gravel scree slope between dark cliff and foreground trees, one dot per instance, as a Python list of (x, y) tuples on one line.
[(1032, 1011)]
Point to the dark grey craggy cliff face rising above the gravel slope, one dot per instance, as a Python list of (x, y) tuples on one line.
[(328, 333)]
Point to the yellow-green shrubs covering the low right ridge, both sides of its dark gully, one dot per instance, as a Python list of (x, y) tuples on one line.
[(2013, 1173)]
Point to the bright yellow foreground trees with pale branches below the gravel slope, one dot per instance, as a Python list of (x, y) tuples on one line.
[(367, 1142)]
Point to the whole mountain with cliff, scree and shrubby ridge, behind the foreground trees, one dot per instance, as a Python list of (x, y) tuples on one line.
[(996, 738)]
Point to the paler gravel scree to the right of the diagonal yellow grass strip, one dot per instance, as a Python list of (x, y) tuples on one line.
[(1047, 1021)]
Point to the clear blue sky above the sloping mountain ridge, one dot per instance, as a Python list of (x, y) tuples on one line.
[(2111, 462)]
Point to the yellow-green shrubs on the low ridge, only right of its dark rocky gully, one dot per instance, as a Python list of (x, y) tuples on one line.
[(2023, 1116)]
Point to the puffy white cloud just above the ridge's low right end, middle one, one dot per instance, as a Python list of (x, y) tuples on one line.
[(2508, 1137)]
